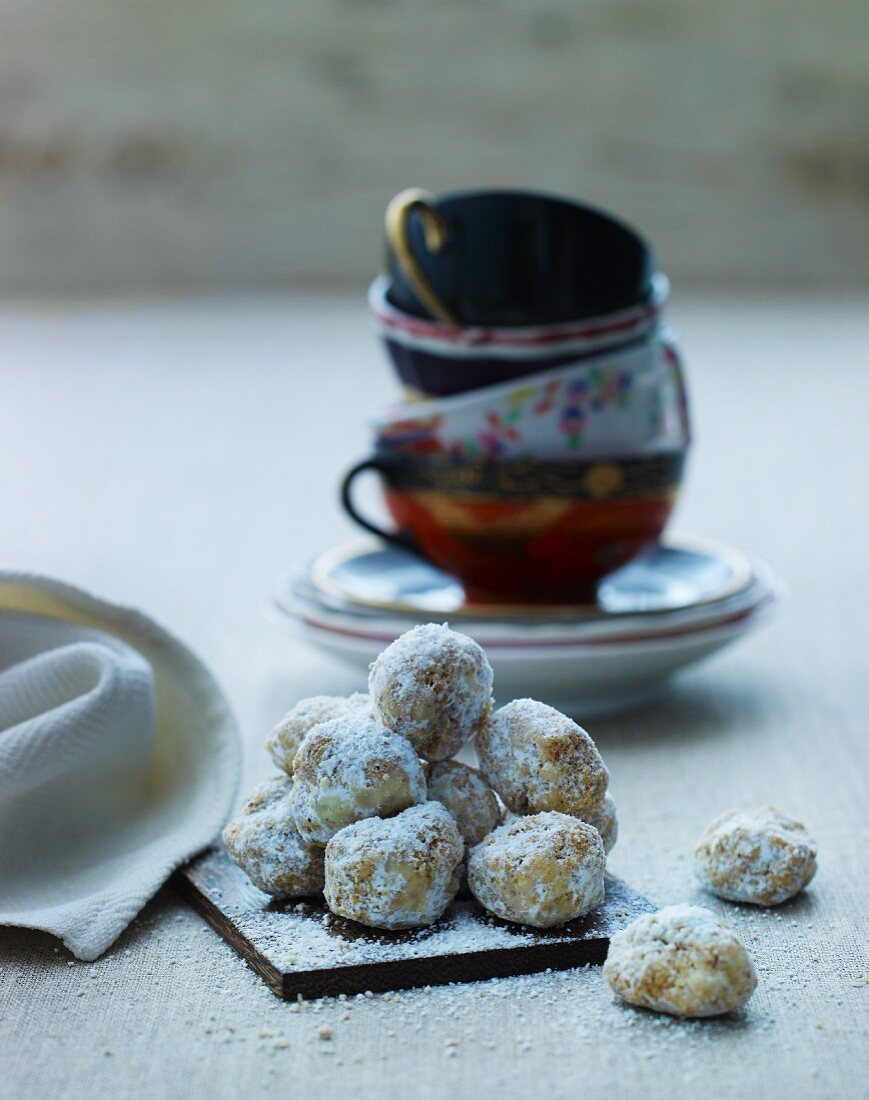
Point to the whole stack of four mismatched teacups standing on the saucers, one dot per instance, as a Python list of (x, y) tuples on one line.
[(544, 428)]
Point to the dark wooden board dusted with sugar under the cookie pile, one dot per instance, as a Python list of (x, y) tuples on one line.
[(302, 949)]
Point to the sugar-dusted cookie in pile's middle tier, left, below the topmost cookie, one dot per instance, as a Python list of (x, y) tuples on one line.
[(353, 768)]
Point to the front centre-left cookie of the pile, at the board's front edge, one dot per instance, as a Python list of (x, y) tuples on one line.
[(400, 873)]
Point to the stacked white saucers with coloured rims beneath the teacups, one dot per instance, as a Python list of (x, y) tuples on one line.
[(676, 606)]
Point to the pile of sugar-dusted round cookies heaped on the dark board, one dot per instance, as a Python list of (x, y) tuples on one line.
[(372, 810)]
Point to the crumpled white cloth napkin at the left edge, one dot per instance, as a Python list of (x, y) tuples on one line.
[(119, 760)]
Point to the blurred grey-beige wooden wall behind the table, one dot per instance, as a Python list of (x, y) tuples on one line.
[(161, 145)]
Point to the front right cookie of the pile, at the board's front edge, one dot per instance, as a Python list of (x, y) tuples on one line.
[(542, 871)]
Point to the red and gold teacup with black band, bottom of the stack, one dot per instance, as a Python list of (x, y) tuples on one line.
[(527, 531)]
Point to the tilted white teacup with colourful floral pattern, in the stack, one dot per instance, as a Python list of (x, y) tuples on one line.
[(626, 402)]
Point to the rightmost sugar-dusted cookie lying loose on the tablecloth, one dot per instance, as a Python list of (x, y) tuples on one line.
[(760, 856)]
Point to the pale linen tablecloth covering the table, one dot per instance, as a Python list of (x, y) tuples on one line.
[(180, 455)]
